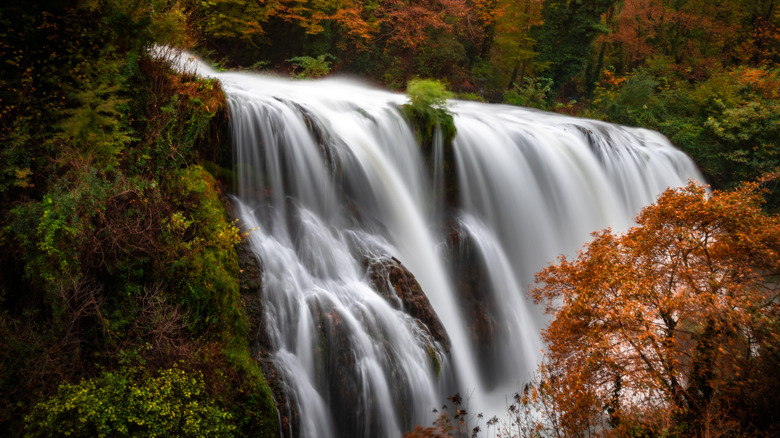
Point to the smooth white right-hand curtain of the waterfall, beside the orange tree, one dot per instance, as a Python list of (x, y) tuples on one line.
[(533, 185)]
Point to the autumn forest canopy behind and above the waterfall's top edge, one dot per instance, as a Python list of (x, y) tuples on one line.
[(704, 74)]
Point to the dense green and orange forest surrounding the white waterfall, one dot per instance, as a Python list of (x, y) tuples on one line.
[(127, 296)]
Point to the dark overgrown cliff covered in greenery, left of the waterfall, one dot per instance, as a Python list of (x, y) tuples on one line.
[(117, 257)]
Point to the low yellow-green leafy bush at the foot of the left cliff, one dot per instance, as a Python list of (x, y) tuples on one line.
[(130, 402)]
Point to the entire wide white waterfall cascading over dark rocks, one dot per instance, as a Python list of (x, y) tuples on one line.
[(350, 226)]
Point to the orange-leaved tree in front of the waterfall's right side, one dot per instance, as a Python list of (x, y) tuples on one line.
[(671, 327)]
